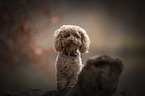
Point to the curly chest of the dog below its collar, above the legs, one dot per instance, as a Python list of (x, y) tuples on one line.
[(69, 64)]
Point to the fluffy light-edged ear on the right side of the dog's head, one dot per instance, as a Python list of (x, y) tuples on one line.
[(85, 42)]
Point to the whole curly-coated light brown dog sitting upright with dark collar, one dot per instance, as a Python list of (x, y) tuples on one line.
[(70, 41)]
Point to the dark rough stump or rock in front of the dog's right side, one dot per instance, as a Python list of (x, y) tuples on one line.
[(99, 77)]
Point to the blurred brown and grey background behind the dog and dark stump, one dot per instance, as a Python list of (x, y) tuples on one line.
[(27, 56)]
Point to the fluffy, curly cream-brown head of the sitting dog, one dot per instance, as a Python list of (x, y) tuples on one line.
[(71, 37)]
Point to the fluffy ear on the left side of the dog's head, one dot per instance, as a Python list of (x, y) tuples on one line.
[(57, 41)]
